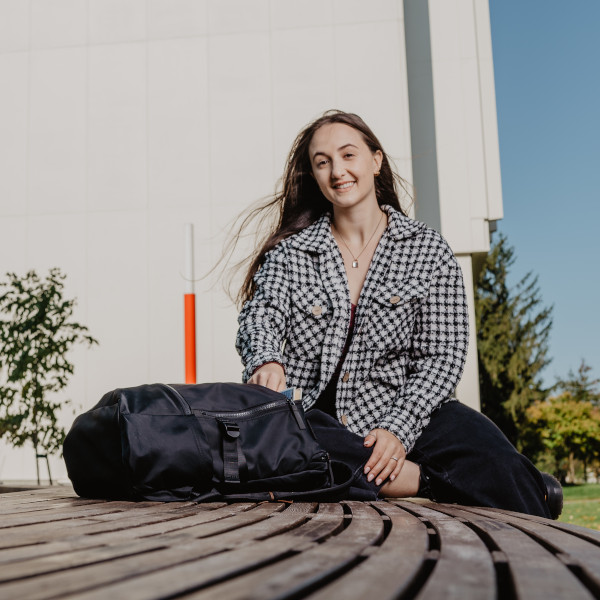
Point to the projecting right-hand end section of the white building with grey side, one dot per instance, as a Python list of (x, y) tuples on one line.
[(454, 137)]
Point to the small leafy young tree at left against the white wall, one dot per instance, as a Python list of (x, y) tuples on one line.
[(36, 333)]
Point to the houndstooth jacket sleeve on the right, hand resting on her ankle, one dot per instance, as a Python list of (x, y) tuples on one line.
[(440, 343)]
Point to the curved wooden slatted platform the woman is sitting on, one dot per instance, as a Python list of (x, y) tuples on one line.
[(55, 545)]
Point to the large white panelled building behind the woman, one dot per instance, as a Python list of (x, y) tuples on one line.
[(122, 120)]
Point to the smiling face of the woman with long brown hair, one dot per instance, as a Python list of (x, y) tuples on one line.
[(343, 165)]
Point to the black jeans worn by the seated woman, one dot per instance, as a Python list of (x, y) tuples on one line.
[(463, 455)]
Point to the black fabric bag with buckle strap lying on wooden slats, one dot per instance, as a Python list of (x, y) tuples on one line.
[(206, 442)]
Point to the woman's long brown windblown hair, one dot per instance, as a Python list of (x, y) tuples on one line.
[(300, 202)]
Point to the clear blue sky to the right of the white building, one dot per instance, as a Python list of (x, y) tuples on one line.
[(547, 70)]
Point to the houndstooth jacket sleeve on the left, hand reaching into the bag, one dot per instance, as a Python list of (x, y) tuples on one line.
[(263, 319)]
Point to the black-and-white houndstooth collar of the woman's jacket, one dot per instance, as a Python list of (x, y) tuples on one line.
[(317, 238)]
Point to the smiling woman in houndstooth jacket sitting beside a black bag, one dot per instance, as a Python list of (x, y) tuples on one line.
[(365, 310)]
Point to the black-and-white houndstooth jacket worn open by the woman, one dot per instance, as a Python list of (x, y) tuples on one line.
[(410, 335)]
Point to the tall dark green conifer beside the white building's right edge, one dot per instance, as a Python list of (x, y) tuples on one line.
[(512, 342)]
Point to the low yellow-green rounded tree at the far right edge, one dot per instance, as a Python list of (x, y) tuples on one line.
[(568, 429)]
